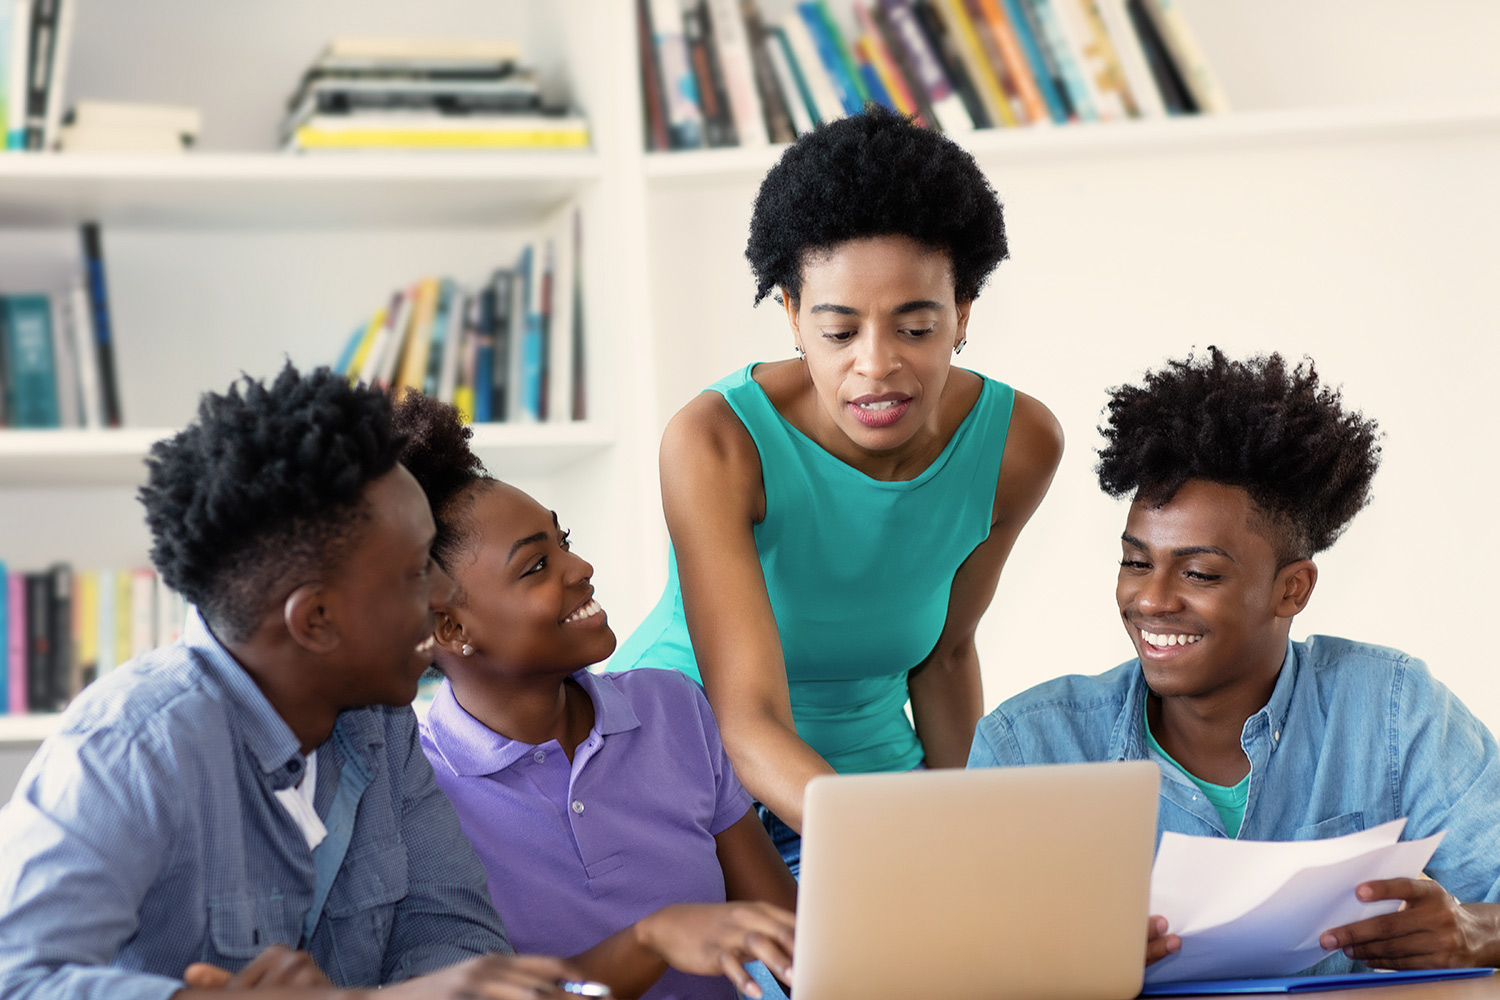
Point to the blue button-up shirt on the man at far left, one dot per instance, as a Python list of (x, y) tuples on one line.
[(146, 836)]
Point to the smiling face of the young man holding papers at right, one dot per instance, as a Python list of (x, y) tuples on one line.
[(1204, 599)]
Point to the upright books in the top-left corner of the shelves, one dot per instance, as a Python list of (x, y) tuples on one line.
[(35, 38)]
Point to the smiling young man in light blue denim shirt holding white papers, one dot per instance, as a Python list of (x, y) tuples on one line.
[(1240, 473)]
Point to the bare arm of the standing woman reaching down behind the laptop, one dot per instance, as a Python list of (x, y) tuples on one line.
[(713, 497)]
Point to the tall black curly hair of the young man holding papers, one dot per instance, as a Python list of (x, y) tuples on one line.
[(1261, 425)]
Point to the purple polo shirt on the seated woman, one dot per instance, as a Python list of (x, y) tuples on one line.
[(577, 851)]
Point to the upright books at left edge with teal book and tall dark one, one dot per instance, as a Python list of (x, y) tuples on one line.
[(58, 353)]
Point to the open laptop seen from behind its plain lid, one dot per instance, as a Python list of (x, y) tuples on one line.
[(986, 885)]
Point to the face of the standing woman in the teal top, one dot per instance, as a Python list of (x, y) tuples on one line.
[(878, 323)]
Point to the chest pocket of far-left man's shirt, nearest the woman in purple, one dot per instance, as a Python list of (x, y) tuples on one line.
[(356, 923)]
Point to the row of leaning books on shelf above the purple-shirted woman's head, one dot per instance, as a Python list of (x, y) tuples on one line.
[(508, 350)]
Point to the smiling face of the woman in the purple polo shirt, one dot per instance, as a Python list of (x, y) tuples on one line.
[(530, 605)]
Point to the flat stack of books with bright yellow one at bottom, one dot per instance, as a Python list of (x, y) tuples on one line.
[(371, 94)]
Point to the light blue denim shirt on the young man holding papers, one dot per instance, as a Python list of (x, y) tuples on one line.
[(1354, 737)]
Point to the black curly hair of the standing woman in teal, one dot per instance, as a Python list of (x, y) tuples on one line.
[(874, 175)]
